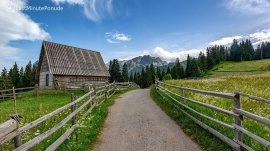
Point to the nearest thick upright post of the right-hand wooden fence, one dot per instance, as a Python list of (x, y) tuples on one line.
[(237, 119)]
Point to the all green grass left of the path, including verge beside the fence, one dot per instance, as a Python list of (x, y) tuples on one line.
[(31, 108)]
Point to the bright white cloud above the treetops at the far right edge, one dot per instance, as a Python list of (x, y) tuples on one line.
[(255, 38)]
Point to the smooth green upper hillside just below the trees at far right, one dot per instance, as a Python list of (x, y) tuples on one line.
[(240, 68)]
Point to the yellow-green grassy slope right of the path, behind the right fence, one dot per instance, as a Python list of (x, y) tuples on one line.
[(248, 77)]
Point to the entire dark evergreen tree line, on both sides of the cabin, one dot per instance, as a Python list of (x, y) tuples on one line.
[(194, 67)]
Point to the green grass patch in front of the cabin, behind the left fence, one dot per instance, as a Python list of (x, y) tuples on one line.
[(31, 107)]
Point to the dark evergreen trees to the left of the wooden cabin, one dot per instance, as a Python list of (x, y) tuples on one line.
[(18, 77)]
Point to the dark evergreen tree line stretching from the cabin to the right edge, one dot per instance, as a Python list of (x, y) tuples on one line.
[(194, 67)]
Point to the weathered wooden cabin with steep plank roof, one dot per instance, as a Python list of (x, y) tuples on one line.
[(62, 65)]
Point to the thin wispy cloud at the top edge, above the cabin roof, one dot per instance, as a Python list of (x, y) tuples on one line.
[(94, 10)]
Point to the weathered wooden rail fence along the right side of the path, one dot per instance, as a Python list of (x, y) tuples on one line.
[(237, 113)]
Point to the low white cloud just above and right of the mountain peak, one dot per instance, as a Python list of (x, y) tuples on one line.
[(170, 56)]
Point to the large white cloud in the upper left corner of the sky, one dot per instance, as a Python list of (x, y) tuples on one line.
[(15, 25)]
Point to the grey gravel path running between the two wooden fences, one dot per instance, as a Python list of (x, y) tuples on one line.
[(136, 123)]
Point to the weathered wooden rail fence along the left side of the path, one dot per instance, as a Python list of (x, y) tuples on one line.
[(10, 130)]
